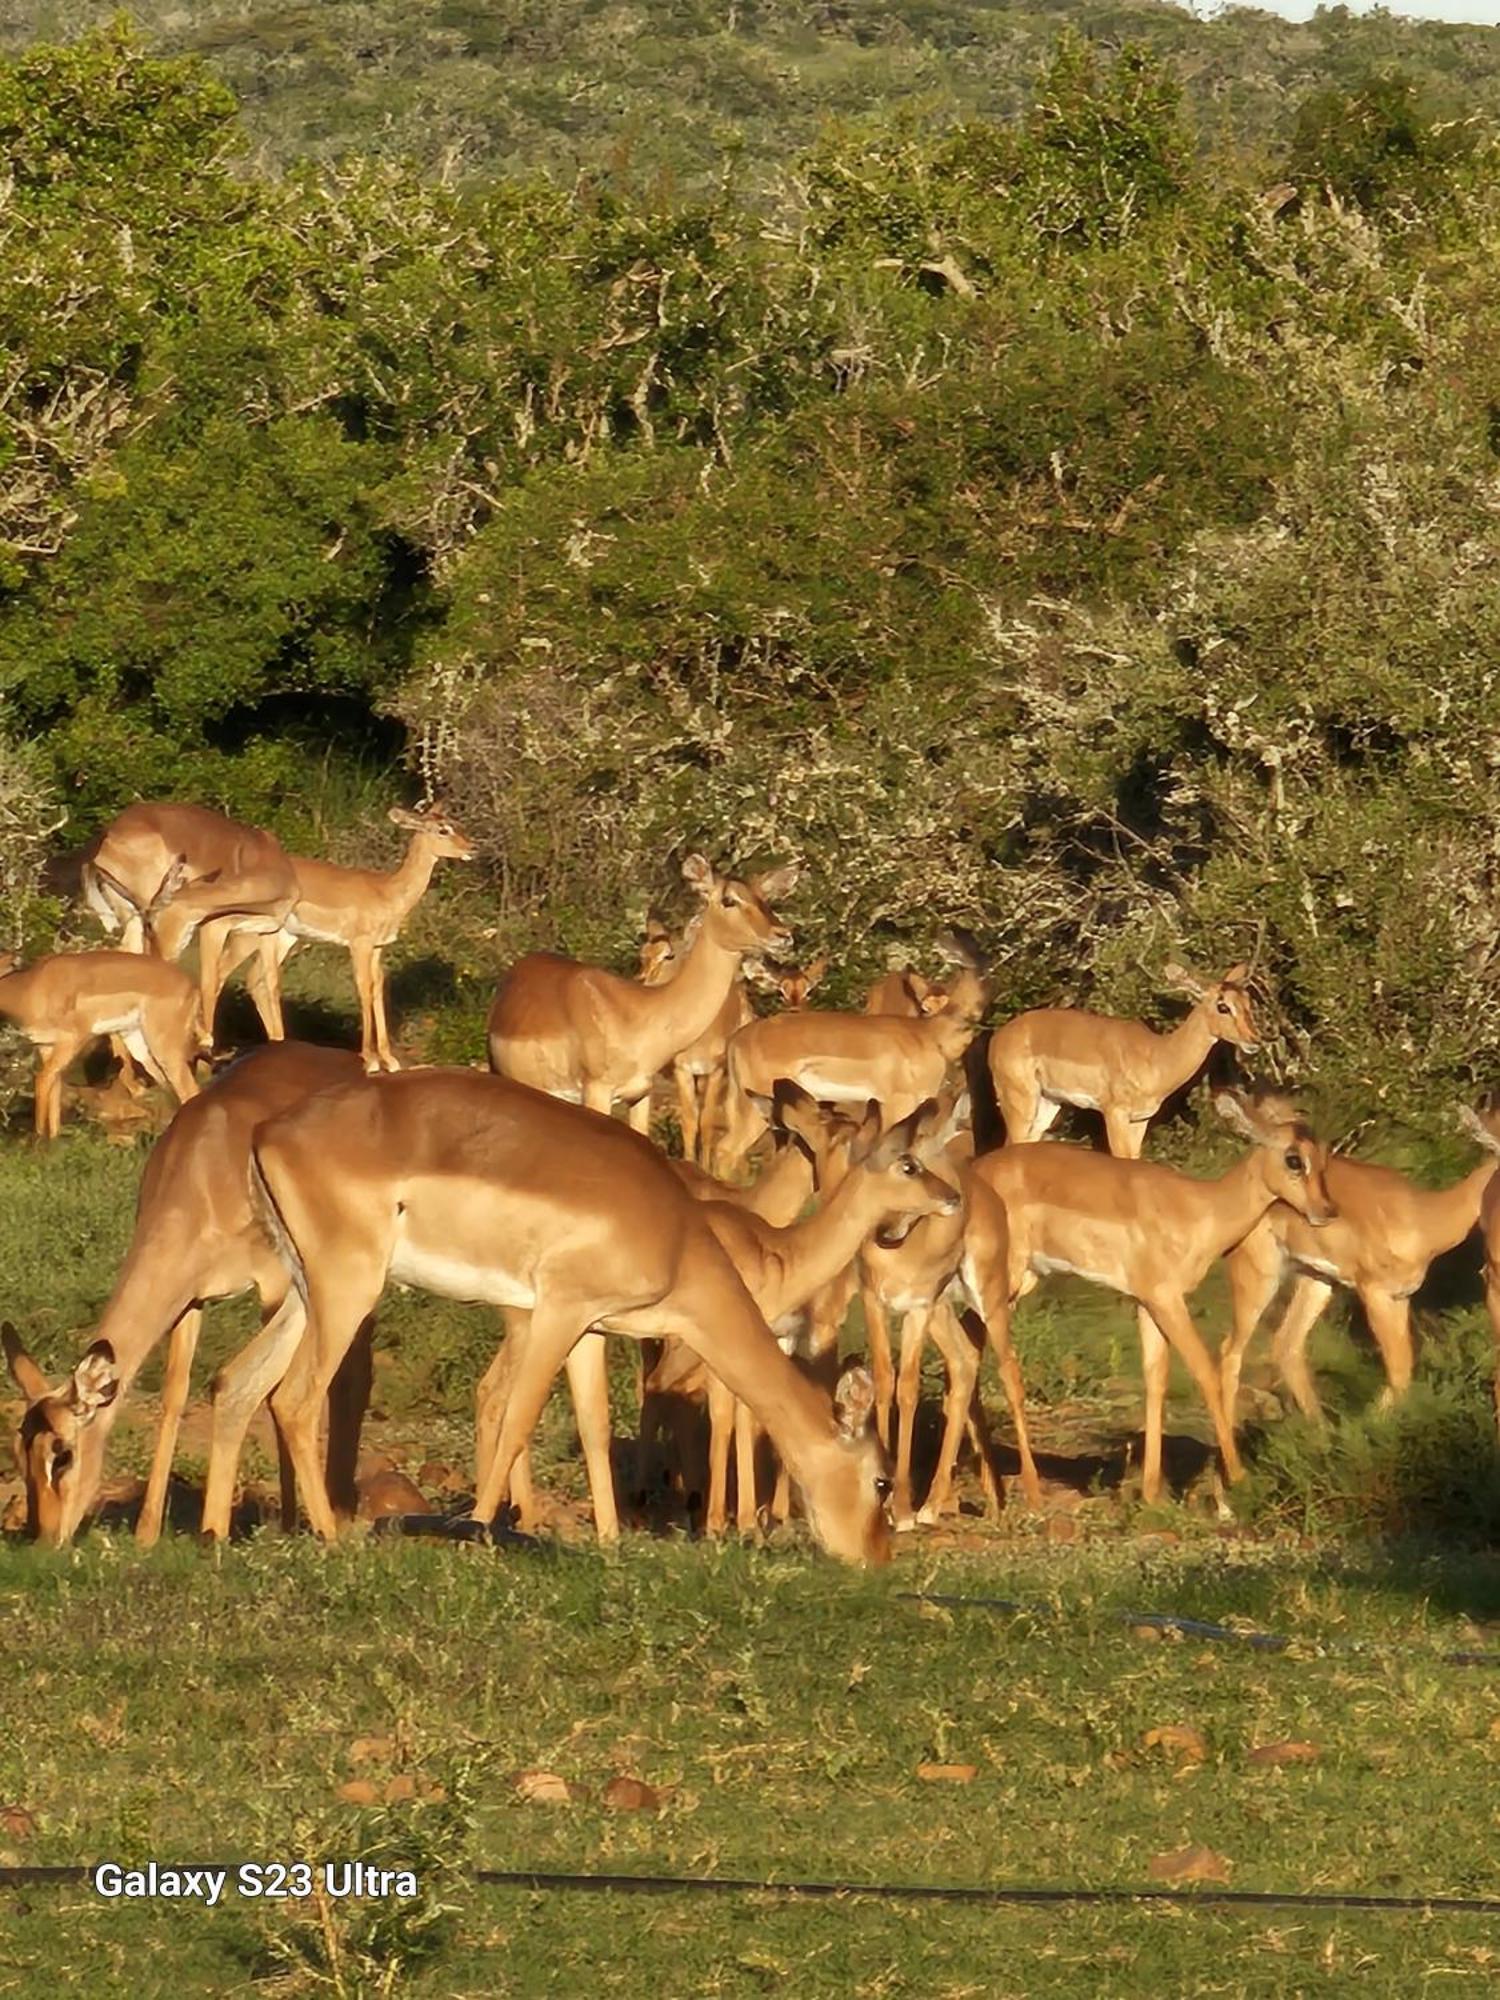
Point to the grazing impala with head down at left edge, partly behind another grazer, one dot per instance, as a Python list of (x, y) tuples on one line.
[(195, 1241)]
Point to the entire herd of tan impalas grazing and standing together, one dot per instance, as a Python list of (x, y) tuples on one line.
[(317, 1177)]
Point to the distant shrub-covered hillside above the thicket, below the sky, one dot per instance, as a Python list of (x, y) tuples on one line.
[(665, 85)]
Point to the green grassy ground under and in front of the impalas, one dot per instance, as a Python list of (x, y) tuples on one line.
[(197, 1707)]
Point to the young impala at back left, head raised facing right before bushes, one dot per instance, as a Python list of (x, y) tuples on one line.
[(365, 911)]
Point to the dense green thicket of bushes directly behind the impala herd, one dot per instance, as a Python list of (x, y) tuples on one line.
[(1049, 523)]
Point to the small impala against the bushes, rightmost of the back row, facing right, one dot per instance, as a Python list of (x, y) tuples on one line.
[(1123, 1069)]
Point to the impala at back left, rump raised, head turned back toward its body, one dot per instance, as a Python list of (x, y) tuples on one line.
[(183, 871)]
